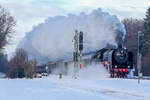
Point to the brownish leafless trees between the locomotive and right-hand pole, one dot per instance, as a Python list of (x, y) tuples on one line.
[(132, 27)]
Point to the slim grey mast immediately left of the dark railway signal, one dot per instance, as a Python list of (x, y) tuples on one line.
[(75, 54)]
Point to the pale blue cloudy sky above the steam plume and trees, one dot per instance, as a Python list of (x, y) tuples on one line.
[(29, 13)]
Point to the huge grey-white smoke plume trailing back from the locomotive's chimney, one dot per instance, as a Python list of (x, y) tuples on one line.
[(53, 38)]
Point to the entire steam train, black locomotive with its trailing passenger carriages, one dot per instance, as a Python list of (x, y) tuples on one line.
[(118, 62)]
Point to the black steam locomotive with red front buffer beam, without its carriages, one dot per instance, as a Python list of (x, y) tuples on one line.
[(117, 61)]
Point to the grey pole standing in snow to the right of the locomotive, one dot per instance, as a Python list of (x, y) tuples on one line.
[(139, 56)]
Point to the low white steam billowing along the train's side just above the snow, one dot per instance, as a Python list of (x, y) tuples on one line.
[(91, 72)]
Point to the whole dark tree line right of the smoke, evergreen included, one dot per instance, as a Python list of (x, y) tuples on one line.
[(133, 26)]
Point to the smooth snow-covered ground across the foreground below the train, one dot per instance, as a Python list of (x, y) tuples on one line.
[(67, 88)]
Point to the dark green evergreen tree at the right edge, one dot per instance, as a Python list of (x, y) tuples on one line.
[(146, 32)]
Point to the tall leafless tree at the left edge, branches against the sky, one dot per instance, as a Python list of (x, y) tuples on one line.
[(7, 24)]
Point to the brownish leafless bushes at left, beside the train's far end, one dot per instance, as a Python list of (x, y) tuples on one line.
[(19, 66)]
